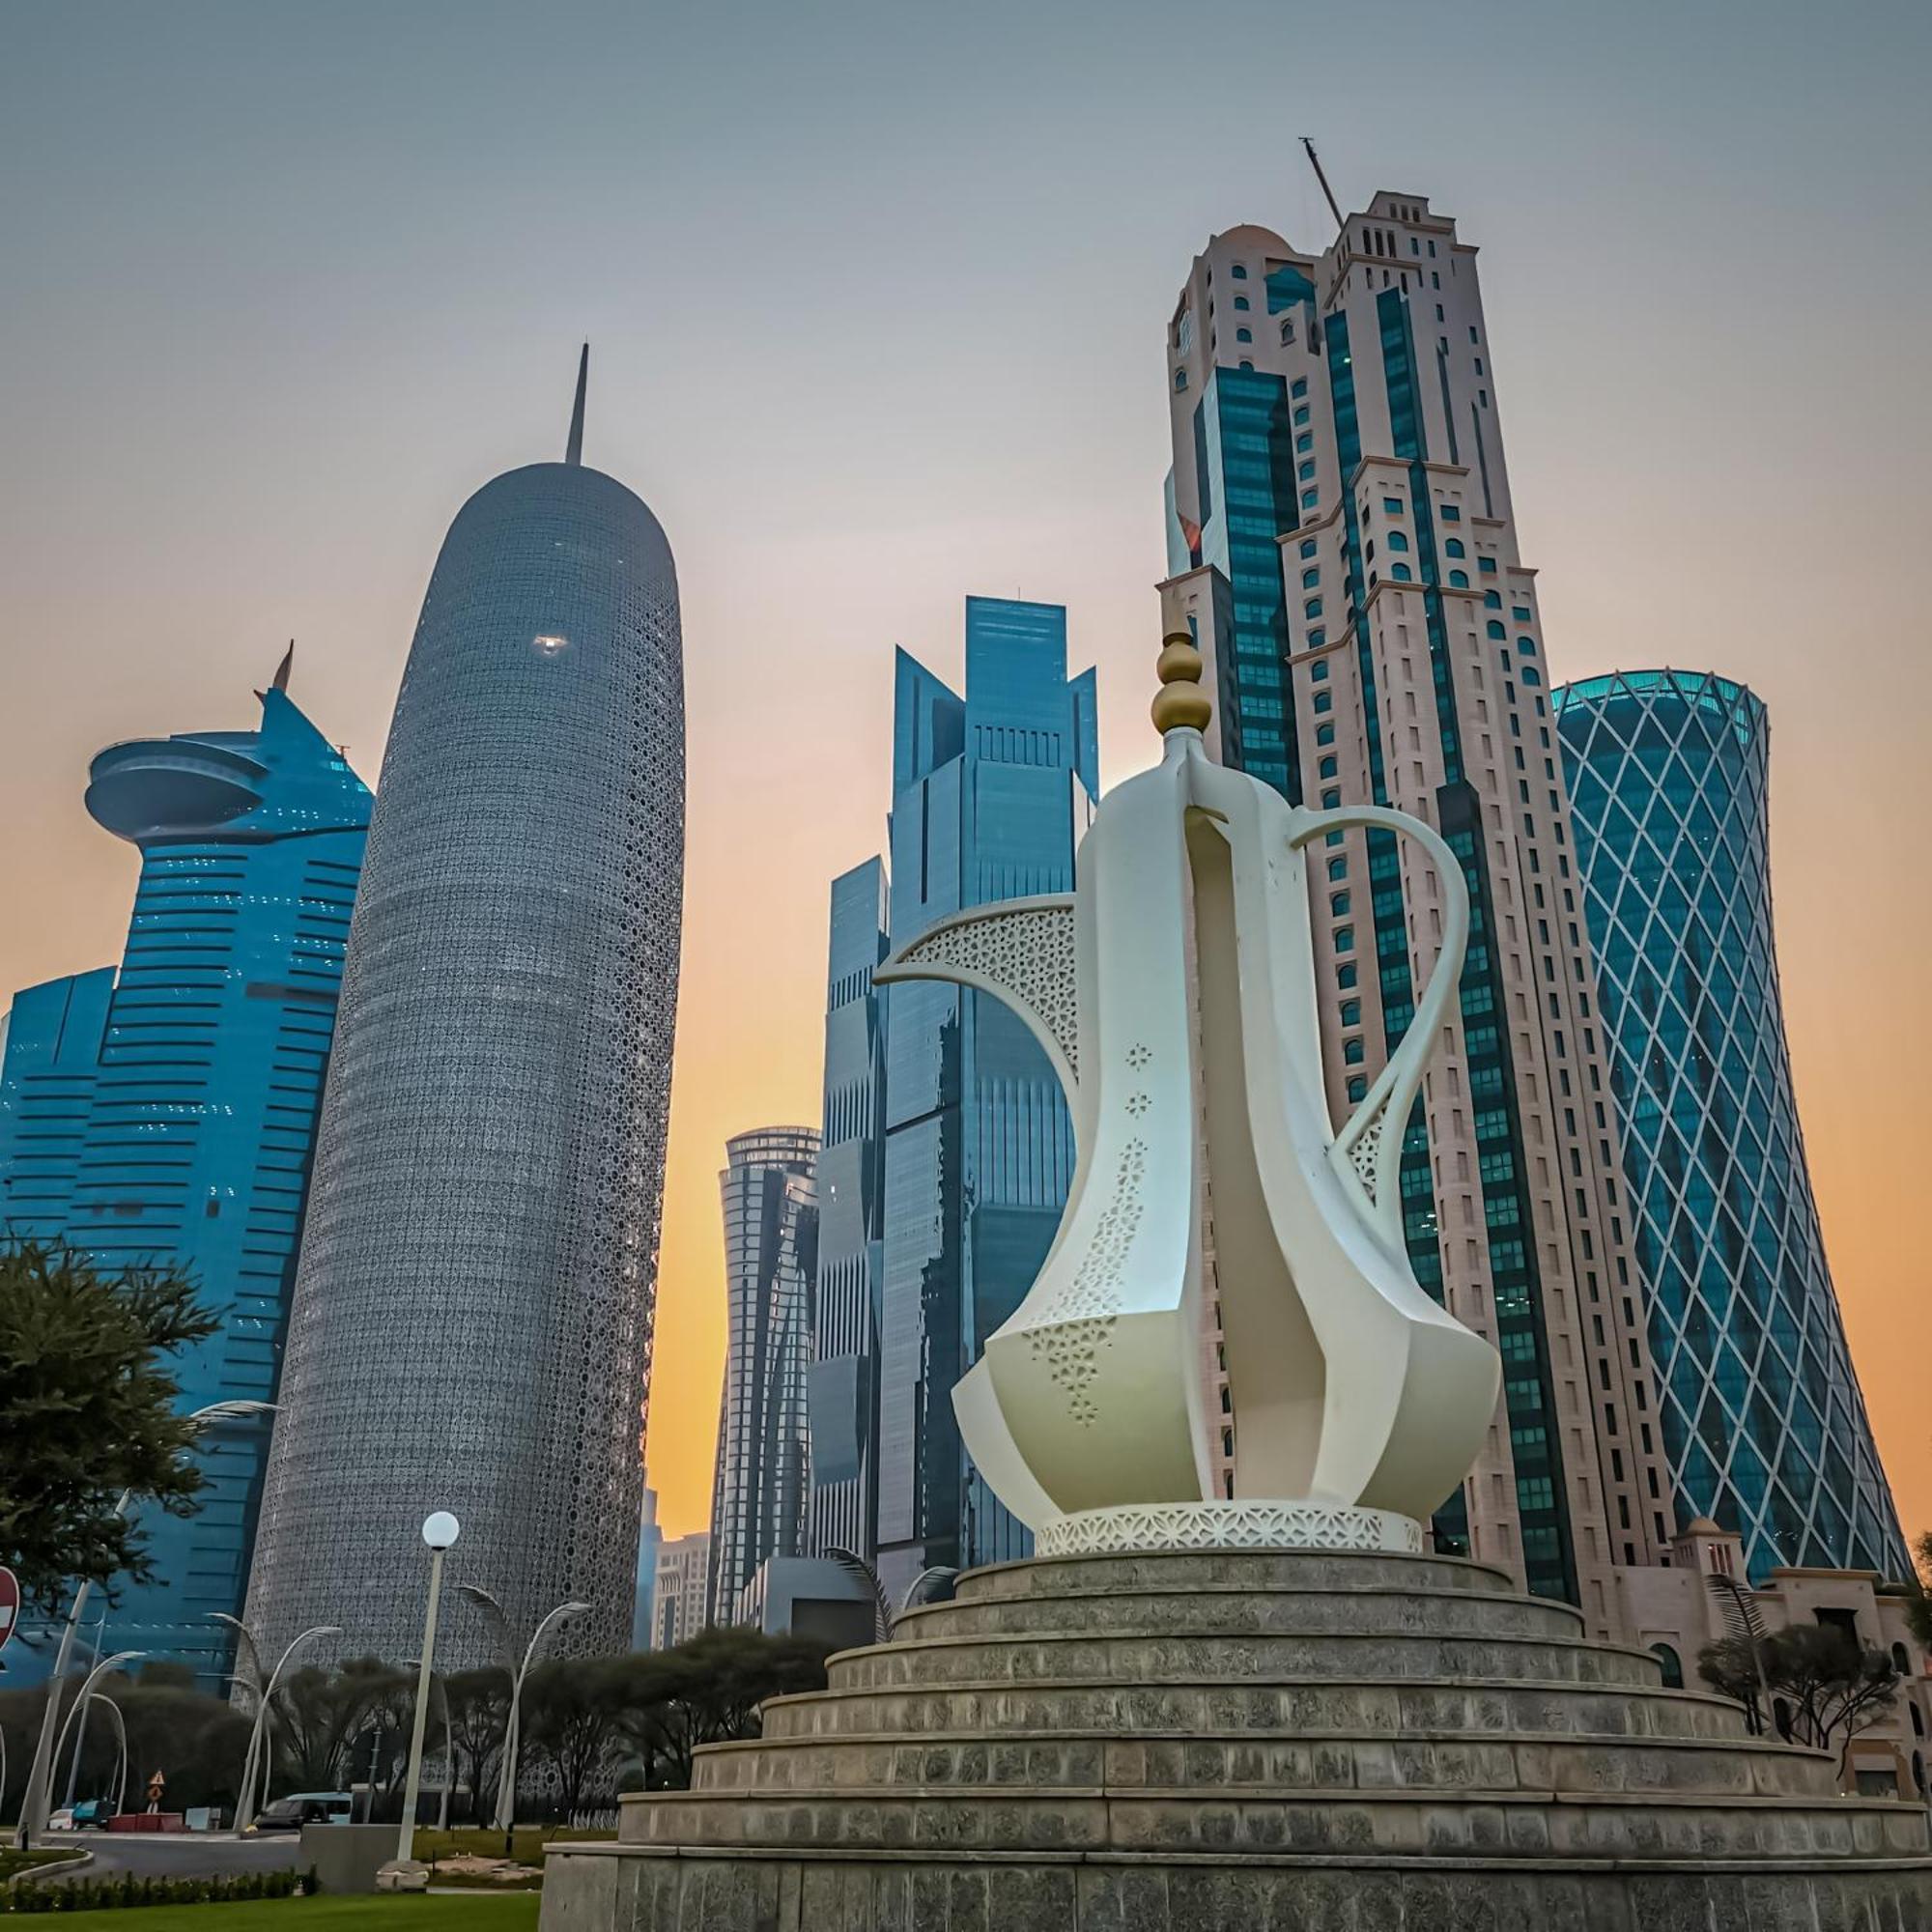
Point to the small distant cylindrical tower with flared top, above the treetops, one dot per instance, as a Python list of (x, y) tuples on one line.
[(758, 1492)]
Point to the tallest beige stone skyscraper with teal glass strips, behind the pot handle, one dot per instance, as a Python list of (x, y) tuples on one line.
[(1353, 436)]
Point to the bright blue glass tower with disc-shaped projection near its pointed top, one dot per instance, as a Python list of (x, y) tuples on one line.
[(169, 1116)]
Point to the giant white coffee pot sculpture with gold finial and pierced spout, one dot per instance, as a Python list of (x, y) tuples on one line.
[(1176, 996)]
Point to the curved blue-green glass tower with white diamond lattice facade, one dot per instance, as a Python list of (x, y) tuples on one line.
[(1763, 1421)]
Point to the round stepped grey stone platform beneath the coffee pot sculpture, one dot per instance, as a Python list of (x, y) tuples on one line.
[(1251, 1742)]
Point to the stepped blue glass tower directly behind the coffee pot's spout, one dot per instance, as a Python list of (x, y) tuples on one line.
[(990, 797)]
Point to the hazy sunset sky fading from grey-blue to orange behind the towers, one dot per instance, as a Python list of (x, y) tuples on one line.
[(878, 300)]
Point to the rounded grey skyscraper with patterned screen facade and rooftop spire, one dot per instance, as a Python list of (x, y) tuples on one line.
[(472, 1317)]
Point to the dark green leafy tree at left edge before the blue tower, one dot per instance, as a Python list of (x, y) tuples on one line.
[(88, 1413)]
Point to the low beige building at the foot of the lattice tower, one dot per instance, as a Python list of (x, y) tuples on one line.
[(1676, 1612)]
